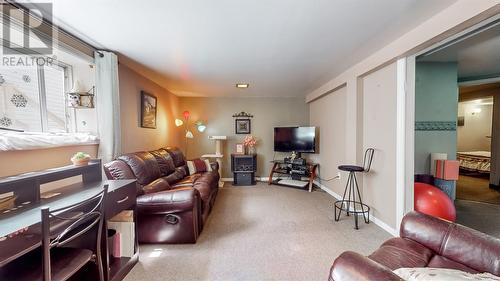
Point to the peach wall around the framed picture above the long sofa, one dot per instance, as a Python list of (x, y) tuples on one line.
[(135, 138)]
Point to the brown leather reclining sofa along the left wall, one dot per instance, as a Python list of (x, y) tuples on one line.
[(172, 205)]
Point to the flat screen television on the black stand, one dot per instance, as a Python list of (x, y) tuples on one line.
[(298, 139)]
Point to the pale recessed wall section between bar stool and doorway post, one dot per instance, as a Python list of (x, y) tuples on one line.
[(379, 132)]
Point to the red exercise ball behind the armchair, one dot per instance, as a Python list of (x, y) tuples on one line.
[(432, 201)]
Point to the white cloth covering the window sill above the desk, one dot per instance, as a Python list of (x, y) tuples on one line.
[(26, 141)]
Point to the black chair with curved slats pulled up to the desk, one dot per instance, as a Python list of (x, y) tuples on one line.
[(63, 252)]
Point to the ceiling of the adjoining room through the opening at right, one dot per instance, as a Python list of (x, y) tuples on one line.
[(477, 56)]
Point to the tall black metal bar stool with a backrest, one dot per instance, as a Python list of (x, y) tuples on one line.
[(351, 188)]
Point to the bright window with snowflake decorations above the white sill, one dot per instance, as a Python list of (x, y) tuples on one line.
[(32, 98)]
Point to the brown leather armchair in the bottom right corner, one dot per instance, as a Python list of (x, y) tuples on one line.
[(424, 241)]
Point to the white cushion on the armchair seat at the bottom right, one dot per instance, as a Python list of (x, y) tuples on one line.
[(441, 274)]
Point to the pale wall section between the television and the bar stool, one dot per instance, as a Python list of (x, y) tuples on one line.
[(329, 115)]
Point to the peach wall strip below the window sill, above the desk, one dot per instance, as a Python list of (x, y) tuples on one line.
[(22, 161)]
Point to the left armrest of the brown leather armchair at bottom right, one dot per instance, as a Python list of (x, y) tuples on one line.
[(351, 266)]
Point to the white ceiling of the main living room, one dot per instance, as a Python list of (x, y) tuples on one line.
[(283, 48)]
